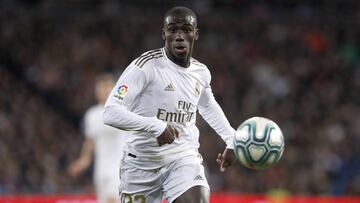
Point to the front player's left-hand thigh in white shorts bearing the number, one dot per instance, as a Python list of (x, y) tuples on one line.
[(139, 186)]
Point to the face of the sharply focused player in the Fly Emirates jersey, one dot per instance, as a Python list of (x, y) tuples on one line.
[(180, 33)]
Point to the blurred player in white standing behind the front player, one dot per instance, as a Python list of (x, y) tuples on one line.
[(103, 141)]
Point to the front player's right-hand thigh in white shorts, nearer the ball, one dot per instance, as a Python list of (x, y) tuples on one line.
[(183, 176)]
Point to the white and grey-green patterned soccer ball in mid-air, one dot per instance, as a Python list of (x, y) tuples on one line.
[(258, 143)]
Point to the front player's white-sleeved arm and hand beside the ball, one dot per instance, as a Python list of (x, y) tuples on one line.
[(212, 113)]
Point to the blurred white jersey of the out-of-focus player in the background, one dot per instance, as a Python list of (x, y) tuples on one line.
[(109, 143)]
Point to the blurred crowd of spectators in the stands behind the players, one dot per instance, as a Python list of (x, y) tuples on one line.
[(294, 61)]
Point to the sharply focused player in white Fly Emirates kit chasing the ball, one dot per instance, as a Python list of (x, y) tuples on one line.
[(156, 99)]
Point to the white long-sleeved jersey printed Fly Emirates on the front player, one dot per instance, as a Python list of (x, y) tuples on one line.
[(152, 92)]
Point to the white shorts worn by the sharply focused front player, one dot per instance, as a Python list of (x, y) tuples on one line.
[(170, 181)]
